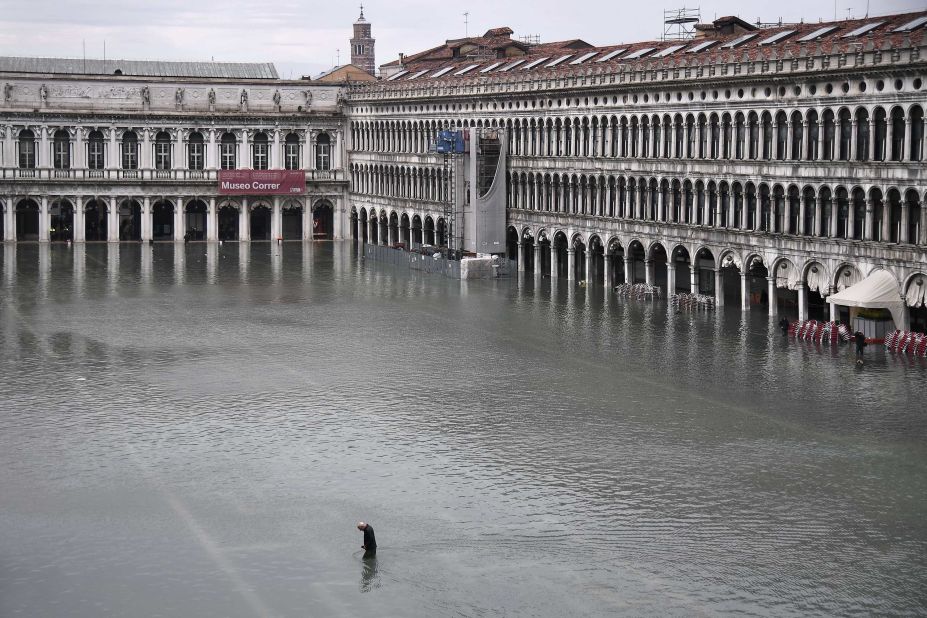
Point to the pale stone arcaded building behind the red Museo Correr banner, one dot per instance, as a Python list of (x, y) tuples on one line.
[(134, 154)]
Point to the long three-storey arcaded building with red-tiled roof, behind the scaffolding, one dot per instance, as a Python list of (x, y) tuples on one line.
[(763, 166)]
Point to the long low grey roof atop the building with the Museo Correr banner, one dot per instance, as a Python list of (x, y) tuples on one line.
[(138, 68)]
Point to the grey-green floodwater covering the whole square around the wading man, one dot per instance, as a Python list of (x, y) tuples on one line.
[(194, 431)]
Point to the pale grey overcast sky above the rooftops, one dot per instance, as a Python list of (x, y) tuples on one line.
[(302, 36)]
